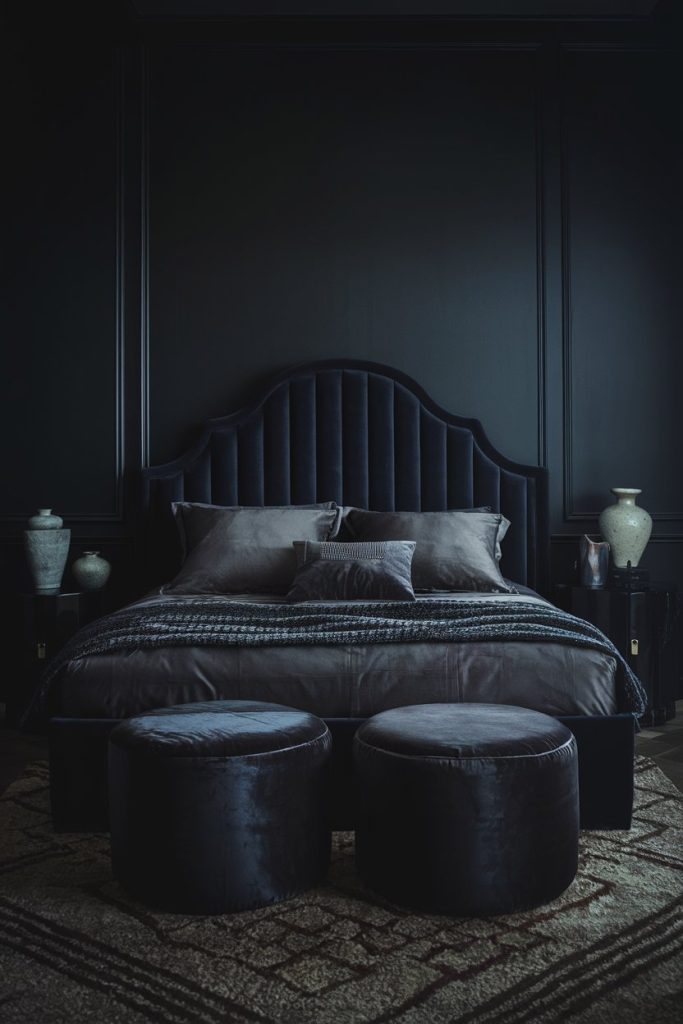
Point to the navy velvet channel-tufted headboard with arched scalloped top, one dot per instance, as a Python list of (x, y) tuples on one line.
[(358, 434)]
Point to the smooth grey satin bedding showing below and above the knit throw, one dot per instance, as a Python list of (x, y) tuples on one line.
[(345, 681)]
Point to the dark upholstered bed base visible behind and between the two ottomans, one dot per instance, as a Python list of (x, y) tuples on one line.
[(78, 772)]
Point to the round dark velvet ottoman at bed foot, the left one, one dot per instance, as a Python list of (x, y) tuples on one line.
[(219, 806)]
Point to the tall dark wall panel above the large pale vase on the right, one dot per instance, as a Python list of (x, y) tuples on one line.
[(624, 415)]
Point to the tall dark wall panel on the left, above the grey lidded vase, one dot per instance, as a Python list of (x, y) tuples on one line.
[(61, 352)]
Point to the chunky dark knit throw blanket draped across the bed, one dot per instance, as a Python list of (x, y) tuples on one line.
[(203, 622)]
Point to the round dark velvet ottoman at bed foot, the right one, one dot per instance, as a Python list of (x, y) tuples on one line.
[(467, 809)]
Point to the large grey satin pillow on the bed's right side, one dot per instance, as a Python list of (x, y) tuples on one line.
[(456, 550)]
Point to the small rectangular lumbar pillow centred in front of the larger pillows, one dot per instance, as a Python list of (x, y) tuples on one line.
[(335, 572)]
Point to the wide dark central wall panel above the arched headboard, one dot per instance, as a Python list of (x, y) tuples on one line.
[(375, 204)]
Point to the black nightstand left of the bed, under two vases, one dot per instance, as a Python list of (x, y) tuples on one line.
[(49, 621)]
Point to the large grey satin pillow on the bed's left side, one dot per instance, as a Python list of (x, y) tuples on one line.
[(247, 550)]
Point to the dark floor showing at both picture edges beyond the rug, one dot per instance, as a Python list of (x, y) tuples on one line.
[(663, 744)]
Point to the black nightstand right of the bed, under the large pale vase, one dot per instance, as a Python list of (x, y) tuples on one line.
[(645, 626)]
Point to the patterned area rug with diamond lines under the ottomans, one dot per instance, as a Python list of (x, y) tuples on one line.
[(73, 948)]
